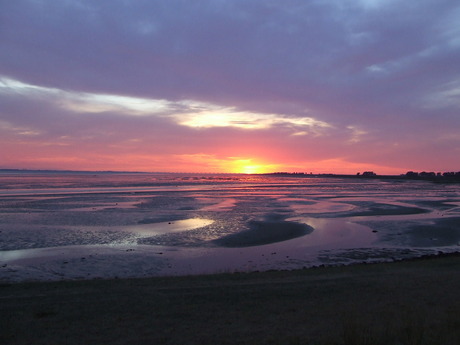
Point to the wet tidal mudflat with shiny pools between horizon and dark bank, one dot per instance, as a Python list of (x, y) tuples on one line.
[(63, 226)]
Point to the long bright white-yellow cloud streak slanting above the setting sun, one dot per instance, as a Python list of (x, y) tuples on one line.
[(186, 113)]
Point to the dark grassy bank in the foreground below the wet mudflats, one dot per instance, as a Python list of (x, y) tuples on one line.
[(411, 302)]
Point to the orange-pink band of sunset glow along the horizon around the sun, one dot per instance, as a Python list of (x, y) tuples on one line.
[(24, 156)]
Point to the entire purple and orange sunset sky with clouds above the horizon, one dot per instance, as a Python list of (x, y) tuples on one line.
[(247, 86)]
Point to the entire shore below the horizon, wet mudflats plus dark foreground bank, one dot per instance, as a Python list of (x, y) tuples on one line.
[(227, 259)]
